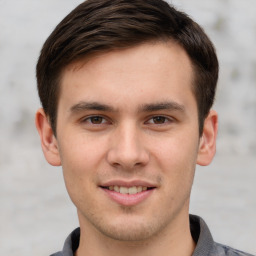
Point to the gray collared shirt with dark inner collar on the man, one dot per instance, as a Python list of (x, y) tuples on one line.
[(205, 246)]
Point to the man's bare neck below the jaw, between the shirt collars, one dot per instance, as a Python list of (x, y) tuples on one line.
[(174, 240)]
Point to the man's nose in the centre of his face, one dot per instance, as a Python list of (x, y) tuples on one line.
[(127, 150)]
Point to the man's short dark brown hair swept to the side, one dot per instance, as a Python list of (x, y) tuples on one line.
[(97, 26)]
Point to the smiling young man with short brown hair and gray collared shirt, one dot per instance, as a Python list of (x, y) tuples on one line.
[(127, 89)]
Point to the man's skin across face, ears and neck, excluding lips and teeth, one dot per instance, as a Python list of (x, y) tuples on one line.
[(130, 116)]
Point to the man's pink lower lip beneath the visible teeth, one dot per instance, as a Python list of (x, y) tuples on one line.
[(127, 199)]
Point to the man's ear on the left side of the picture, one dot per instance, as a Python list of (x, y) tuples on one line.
[(48, 141)]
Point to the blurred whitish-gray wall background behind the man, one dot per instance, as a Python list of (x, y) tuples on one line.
[(36, 214)]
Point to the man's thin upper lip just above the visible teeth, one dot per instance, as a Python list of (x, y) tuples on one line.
[(123, 183)]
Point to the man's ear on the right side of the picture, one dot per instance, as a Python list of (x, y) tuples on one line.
[(207, 145)]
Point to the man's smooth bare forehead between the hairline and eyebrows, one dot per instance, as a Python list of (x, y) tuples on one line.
[(142, 72)]
